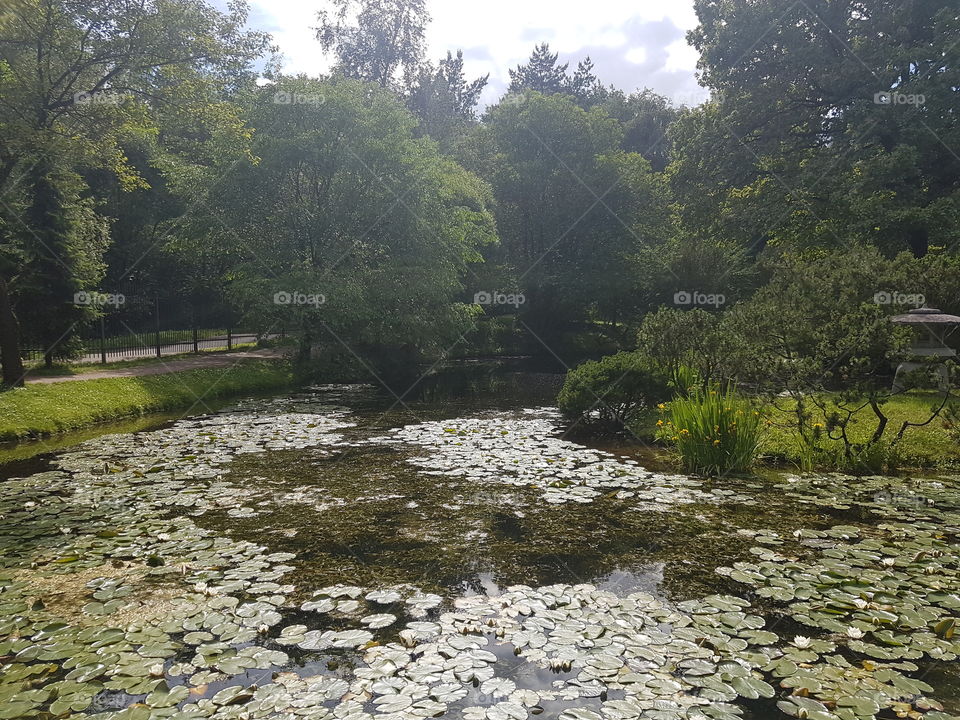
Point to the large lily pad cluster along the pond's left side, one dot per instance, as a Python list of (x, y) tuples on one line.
[(105, 593)]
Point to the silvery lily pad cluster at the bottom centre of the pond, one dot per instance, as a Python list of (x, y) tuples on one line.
[(614, 657)]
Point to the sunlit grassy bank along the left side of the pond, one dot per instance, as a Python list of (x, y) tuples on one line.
[(41, 410)]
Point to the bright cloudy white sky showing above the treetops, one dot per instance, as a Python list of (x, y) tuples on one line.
[(633, 43)]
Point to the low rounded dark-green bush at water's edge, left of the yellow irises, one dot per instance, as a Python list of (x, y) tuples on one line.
[(609, 393)]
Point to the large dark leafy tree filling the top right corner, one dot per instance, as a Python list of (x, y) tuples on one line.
[(831, 122)]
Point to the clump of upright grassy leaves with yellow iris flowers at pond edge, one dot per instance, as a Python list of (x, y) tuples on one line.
[(715, 431)]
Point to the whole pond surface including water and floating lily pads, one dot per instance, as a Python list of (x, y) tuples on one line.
[(342, 553)]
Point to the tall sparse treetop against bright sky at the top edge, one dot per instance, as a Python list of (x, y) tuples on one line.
[(374, 40)]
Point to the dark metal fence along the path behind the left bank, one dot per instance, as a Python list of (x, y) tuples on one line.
[(149, 327)]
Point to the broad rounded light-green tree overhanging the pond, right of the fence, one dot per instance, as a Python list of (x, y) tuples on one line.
[(349, 228)]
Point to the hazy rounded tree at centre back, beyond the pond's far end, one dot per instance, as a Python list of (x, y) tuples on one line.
[(571, 206)]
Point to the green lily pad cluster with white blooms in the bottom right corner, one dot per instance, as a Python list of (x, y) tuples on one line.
[(876, 601)]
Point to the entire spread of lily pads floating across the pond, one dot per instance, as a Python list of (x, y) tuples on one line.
[(116, 605)]
